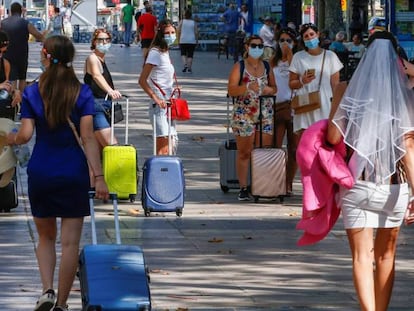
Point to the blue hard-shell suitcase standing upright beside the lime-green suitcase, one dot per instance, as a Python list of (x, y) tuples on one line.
[(163, 182)]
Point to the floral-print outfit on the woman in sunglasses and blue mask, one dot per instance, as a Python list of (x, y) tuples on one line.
[(245, 117)]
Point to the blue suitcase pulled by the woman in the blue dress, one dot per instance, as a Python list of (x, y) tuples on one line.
[(113, 277)]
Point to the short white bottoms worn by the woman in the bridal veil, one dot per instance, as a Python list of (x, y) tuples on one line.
[(369, 205)]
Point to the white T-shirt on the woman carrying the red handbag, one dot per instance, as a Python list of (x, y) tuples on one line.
[(162, 72)]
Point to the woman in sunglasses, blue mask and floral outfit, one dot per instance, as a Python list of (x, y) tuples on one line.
[(246, 87)]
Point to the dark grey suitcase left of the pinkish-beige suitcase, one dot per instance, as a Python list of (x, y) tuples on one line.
[(228, 154)]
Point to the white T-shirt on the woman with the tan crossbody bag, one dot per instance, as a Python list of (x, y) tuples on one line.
[(302, 61)]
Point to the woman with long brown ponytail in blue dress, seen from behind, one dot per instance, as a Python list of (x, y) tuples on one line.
[(58, 175)]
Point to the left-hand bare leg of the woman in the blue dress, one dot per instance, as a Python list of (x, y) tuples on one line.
[(45, 250)]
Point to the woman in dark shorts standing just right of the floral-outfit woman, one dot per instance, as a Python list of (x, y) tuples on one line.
[(286, 39)]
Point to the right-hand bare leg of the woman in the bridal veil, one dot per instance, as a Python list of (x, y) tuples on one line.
[(385, 249)]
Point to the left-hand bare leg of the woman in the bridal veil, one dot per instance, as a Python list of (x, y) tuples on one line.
[(362, 249)]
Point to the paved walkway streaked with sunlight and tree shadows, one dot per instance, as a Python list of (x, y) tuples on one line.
[(221, 254)]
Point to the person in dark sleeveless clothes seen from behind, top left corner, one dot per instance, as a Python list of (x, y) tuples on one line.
[(18, 30)]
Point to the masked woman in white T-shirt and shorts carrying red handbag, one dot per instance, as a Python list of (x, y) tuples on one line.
[(158, 74)]
